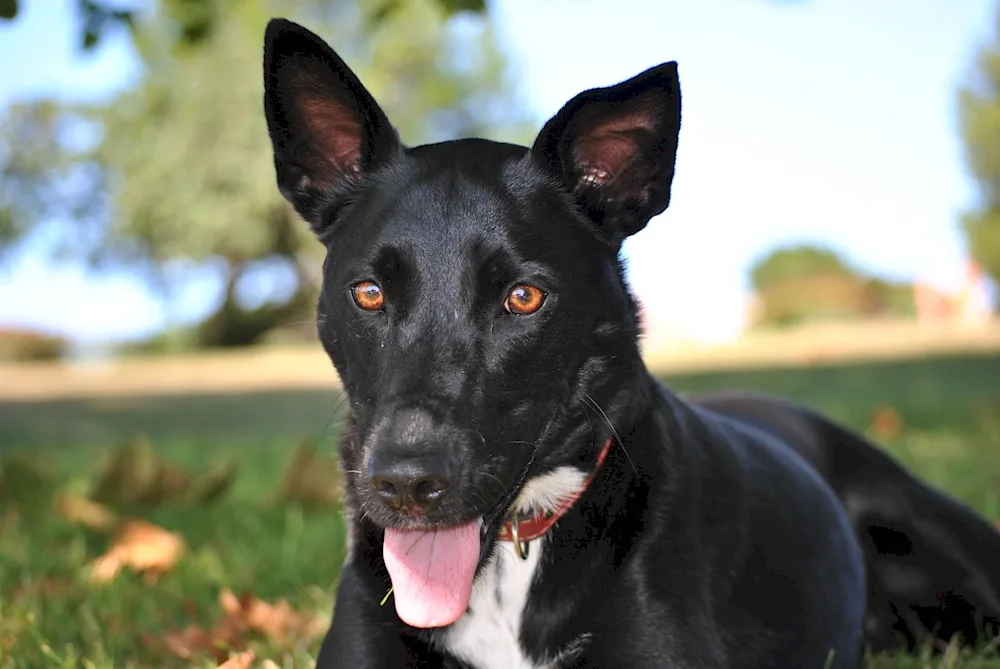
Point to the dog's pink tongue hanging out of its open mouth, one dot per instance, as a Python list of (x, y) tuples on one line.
[(432, 572)]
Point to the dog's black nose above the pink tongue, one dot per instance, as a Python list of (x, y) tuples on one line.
[(413, 483)]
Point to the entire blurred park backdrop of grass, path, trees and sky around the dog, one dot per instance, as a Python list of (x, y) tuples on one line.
[(834, 235)]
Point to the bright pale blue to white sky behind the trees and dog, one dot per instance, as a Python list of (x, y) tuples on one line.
[(829, 121)]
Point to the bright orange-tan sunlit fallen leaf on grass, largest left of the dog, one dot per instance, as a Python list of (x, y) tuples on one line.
[(143, 547)]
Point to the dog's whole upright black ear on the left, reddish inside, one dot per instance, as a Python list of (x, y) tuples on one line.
[(326, 129)]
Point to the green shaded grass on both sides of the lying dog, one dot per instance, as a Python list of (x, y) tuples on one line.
[(51, 616)]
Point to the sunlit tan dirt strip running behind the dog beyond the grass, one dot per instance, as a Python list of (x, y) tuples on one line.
[(307, 367)]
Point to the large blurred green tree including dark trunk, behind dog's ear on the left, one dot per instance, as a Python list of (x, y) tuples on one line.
[(185, 160)]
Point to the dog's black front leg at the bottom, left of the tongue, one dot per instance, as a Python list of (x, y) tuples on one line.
[(367, 635)]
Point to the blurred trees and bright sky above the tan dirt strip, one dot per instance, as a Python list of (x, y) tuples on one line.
[(846, 145)]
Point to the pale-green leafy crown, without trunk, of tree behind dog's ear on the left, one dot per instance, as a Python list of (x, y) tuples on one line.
[(189, 147)]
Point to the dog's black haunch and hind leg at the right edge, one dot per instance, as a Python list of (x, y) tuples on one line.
[(933, 565)]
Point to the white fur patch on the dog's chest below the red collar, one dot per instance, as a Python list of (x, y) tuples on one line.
[(487, 636)]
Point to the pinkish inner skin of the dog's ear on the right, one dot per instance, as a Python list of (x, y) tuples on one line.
[(608, 149)]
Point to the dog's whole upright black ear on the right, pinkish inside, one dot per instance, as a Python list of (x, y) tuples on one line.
[(614, 149)]
